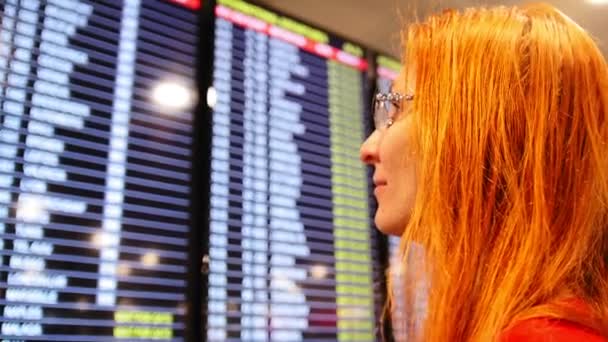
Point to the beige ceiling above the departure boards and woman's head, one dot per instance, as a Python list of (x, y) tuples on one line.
[(376, 23)]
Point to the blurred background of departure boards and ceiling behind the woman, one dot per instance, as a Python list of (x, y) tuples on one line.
[(187, 170)]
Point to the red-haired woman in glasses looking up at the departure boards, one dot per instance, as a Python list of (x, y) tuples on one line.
[(492, 154)]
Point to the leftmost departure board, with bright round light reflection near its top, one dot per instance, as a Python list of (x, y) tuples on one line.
[(96, 117)]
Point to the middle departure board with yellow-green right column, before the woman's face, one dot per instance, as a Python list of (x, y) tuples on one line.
[(291, 252)]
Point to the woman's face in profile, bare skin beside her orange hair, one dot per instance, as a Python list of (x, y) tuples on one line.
[(390, 152)]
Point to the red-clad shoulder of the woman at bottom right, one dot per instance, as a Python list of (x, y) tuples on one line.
[(549, 330)]
